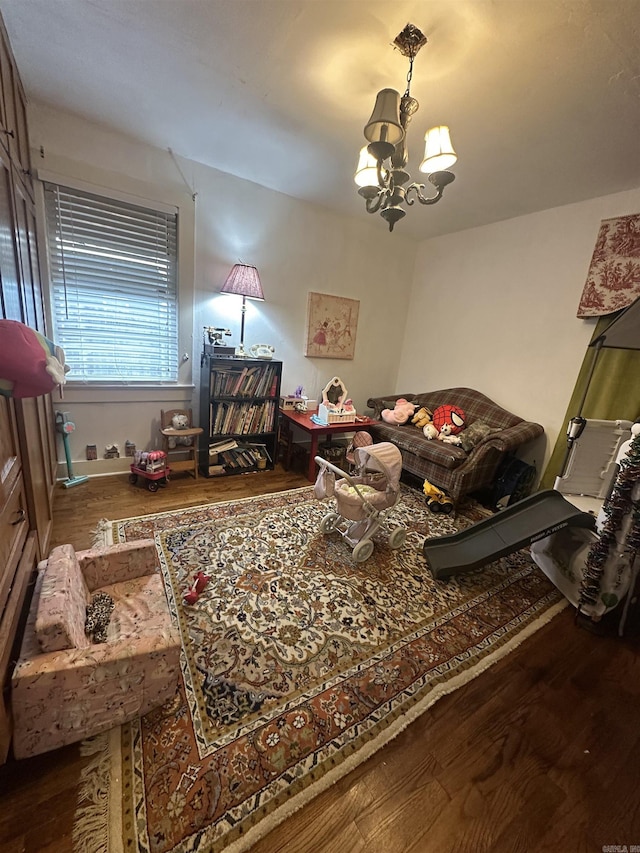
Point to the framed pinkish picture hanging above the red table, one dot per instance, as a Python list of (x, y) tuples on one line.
[(332, 323)]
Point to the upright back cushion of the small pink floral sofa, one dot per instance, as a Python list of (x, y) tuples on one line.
[(63, 603)]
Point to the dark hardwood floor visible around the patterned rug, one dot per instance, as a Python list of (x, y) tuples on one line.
[(539, 753)]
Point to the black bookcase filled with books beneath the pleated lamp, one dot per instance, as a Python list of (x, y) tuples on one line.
[(239, 414)]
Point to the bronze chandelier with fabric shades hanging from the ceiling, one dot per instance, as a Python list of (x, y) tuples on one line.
[(381, 173)]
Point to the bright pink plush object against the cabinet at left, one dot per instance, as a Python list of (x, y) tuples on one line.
[(30, 364)]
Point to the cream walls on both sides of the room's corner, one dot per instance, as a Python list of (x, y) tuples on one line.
[(491, 308)]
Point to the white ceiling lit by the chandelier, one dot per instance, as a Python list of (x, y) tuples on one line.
[(542, 96)]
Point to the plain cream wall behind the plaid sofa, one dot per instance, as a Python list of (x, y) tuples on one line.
[(494, 308)]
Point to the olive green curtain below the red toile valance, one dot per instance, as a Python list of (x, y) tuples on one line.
[(614, 394)]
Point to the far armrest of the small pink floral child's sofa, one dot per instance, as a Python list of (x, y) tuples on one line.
[(117, 563)]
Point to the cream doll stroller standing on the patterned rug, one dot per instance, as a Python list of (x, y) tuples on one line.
[(363, 497)]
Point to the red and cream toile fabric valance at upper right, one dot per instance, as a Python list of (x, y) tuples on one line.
[(613, 280)]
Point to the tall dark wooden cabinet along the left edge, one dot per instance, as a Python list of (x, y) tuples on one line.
[(27, 435)]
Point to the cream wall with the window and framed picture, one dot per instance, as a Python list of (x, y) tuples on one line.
[(297, 248)]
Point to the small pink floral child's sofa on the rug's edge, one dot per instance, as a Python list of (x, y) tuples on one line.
[(66, 695)]
